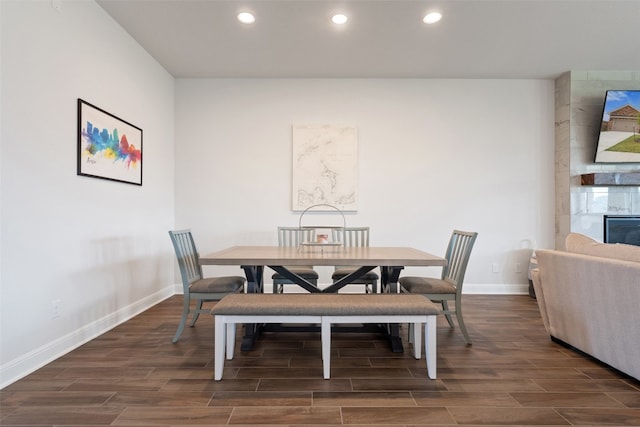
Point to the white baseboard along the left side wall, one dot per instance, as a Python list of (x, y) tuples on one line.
[(35, 359)]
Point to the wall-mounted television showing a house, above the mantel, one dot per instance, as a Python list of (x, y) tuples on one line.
[(619, 137)]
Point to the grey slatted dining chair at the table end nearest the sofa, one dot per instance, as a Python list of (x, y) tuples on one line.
[(449, 286)]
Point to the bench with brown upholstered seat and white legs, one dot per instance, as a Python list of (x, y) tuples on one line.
[(324, 309)]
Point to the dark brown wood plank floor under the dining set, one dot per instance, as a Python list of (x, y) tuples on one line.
[(512, 375)]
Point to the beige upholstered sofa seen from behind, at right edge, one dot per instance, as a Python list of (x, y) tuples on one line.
[(589, 299)]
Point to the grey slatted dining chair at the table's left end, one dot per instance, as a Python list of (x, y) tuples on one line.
[(194, 286)]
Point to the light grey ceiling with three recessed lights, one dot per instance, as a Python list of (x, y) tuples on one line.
[(384, 39)]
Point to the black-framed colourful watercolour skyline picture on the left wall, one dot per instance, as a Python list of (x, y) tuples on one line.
[(108, 147)]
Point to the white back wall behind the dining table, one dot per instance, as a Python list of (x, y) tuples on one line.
[(433, 155)]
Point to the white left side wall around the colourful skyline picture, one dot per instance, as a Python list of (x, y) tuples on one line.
[(100, 248)]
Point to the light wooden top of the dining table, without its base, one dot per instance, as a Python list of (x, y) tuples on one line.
[(322, 255)]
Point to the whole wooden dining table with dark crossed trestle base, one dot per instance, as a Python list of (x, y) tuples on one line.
[(390, 260)]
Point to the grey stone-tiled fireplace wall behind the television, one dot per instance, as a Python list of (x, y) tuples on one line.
[(579, 101)]
